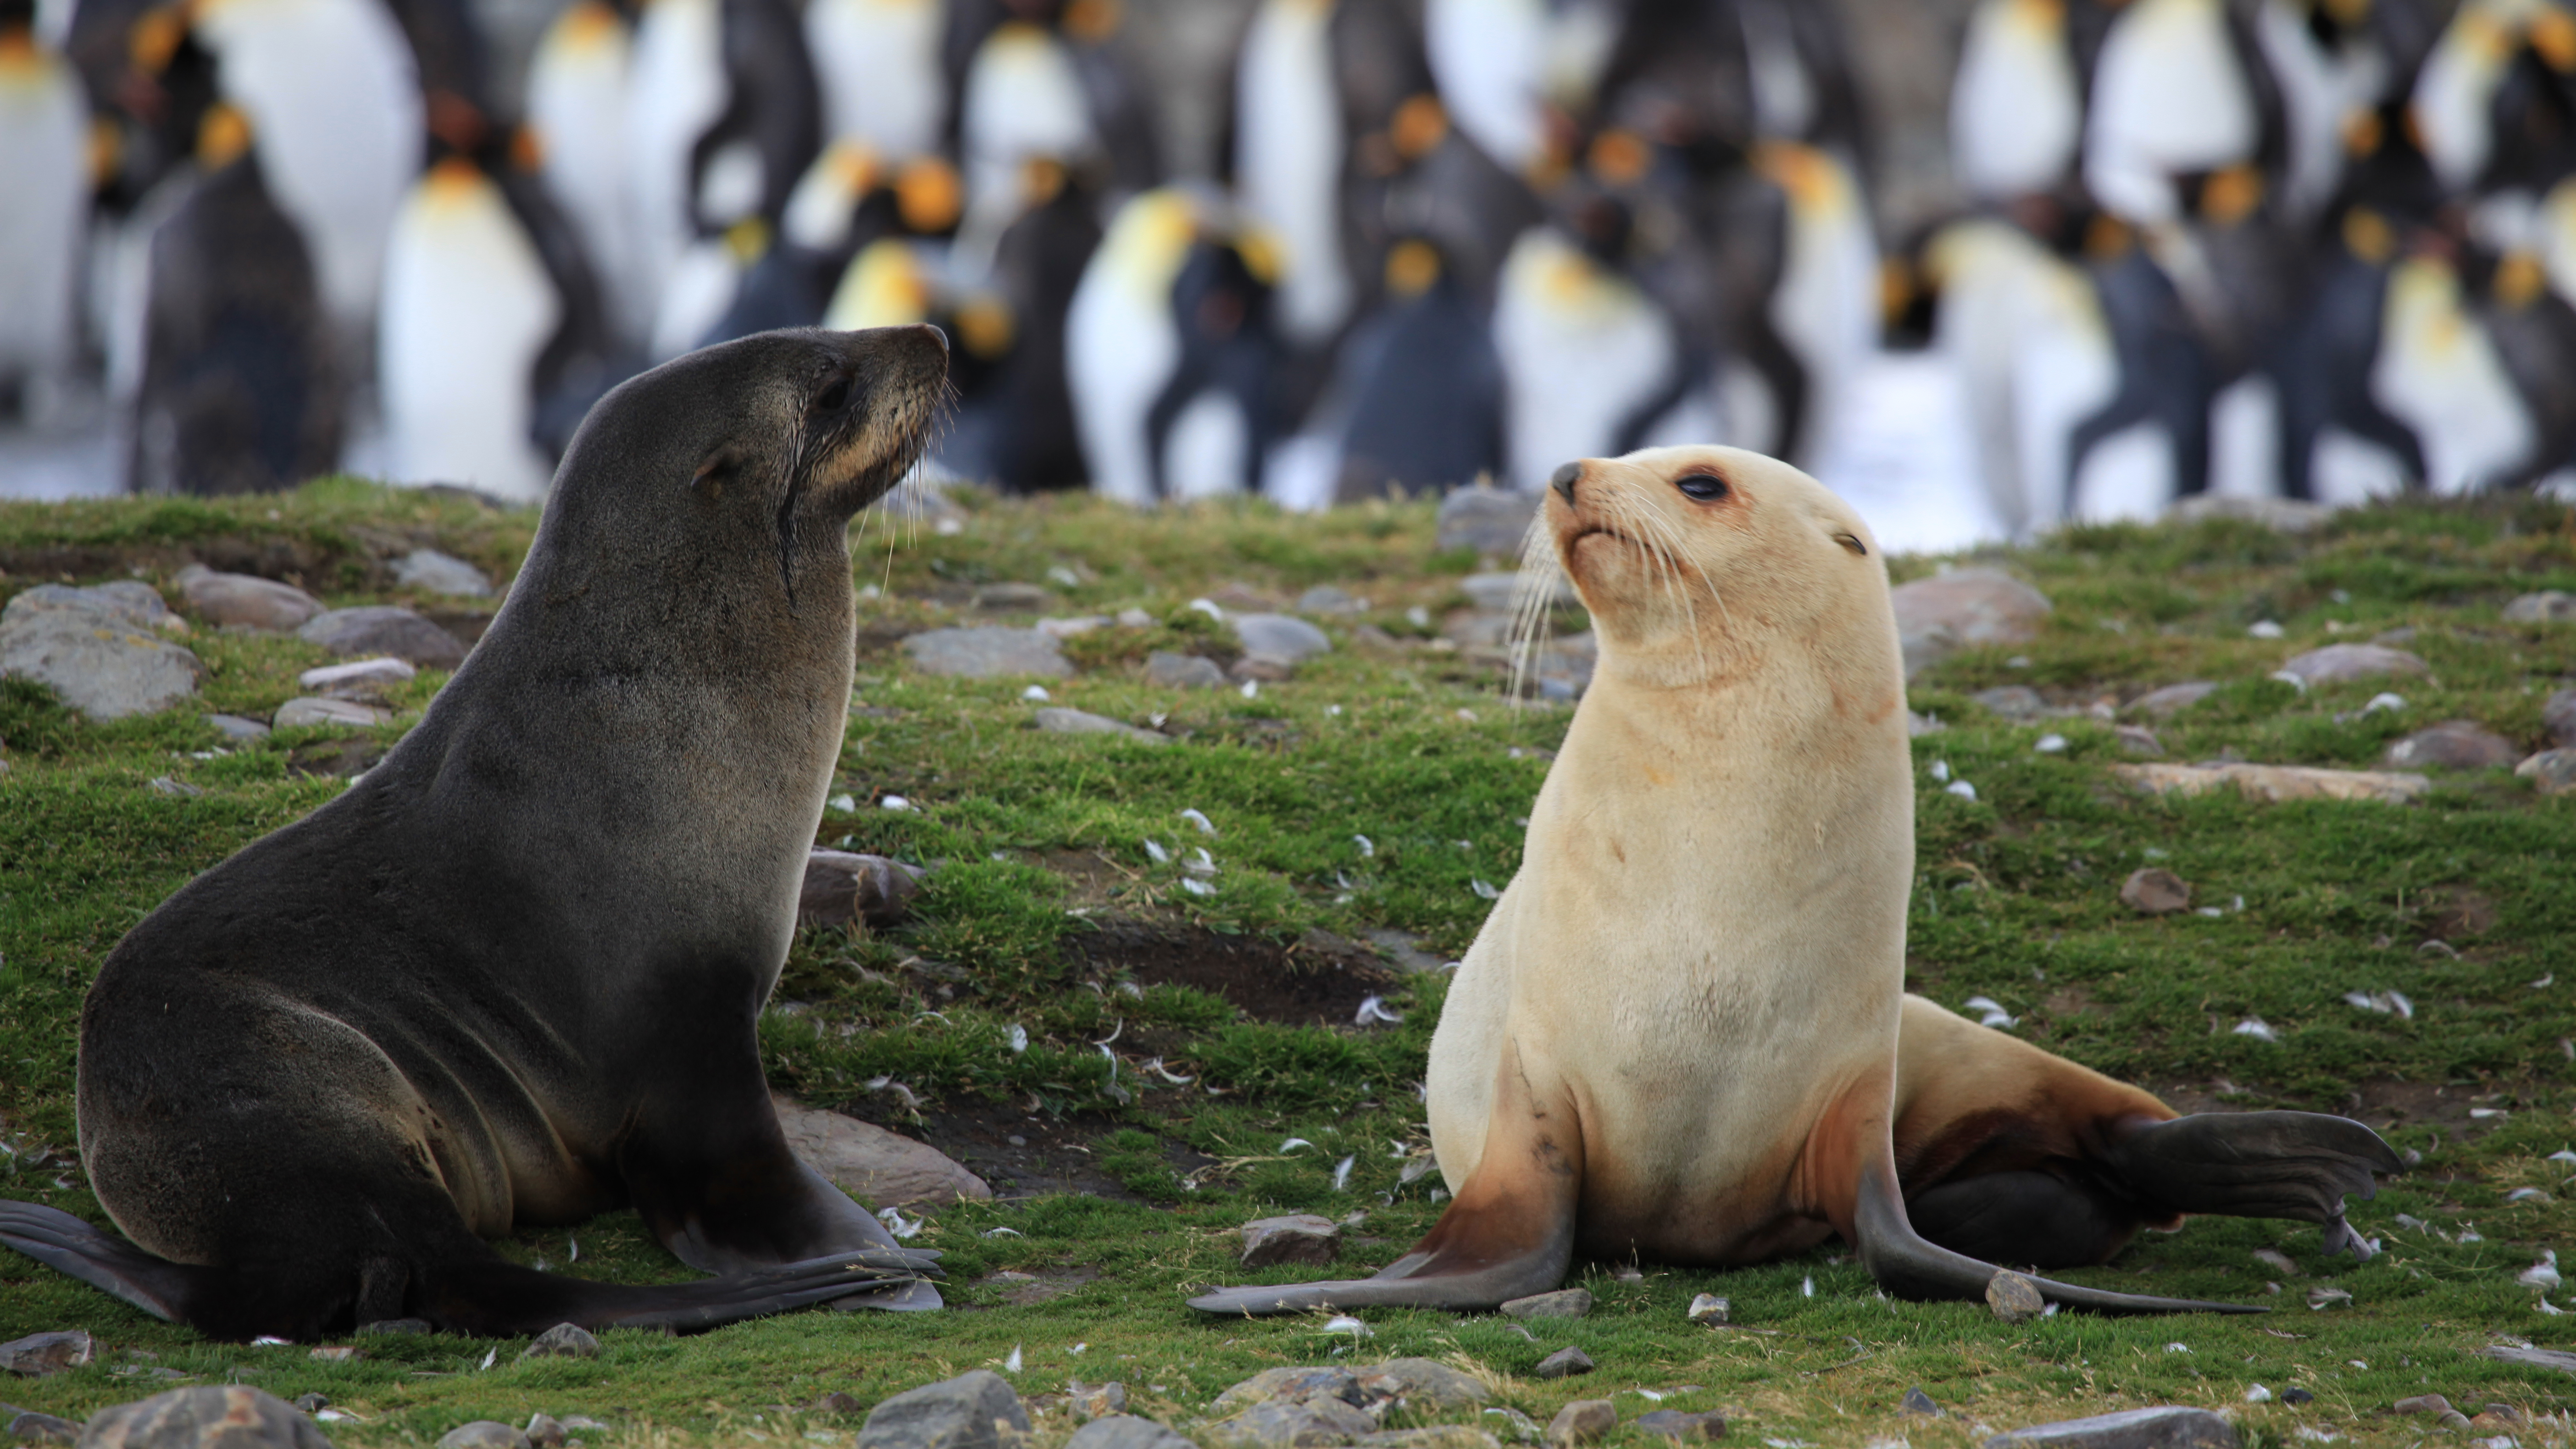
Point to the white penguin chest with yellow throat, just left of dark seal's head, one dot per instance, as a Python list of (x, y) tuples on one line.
[(468, 308)]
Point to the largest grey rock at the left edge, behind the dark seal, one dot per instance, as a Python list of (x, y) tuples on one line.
[(99, 648)]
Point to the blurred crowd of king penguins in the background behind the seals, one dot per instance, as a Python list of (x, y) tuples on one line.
[(2304, 249)]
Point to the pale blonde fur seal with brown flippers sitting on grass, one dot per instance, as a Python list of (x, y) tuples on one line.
[(1683, 1033)]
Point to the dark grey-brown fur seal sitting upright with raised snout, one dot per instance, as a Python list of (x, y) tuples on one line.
[(514, 973)]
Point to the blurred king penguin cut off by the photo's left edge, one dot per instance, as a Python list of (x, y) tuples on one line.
[(45, 171)]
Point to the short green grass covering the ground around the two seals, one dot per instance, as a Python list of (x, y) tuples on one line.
[(1413, 746)]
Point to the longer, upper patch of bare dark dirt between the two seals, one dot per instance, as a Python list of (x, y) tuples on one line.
[(1312, 984)]
